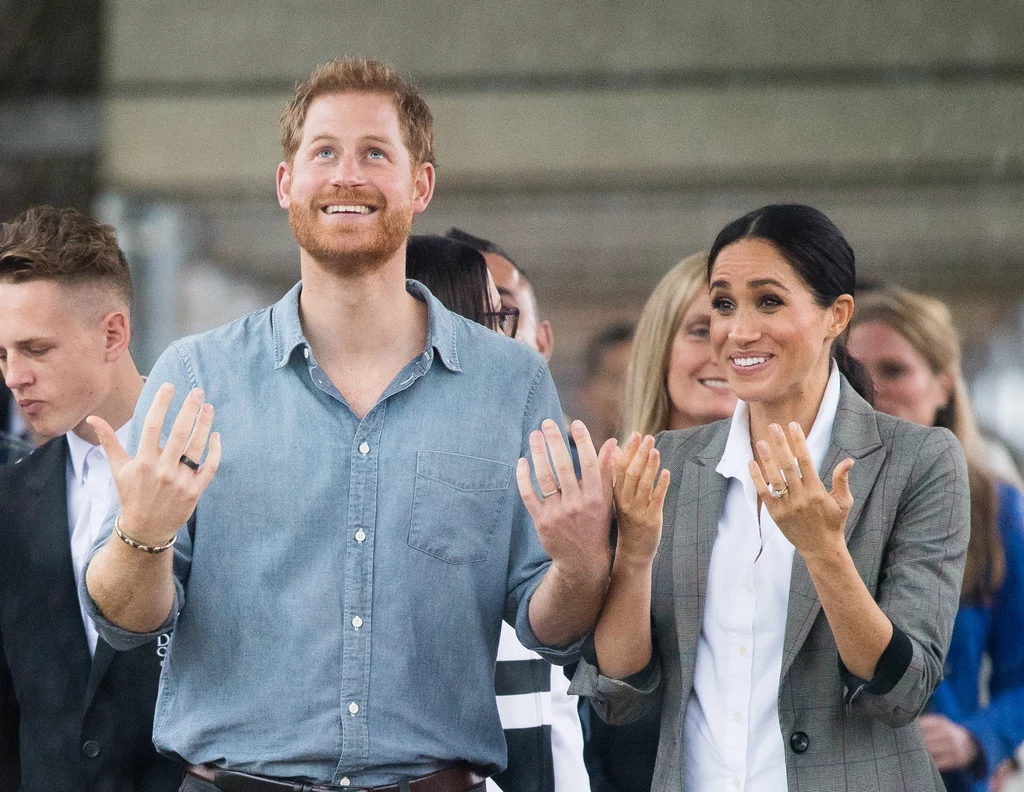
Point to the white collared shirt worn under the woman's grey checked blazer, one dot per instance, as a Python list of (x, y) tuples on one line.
[(733, 738)]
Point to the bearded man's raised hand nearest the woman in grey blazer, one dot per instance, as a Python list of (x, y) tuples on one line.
[(573, 518)]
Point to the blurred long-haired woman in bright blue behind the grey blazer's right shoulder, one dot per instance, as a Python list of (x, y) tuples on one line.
[(909, 345)]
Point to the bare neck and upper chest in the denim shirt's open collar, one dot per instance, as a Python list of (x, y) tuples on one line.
[(363, 329)]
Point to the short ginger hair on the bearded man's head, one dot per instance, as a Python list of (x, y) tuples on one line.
[(360, 75)]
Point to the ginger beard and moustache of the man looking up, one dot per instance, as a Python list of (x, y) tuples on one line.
[(351, 252)]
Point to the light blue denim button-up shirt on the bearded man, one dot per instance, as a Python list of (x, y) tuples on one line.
[(337, 614)]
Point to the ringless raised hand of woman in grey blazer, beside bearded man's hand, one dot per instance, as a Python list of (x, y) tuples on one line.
[(639, 493)]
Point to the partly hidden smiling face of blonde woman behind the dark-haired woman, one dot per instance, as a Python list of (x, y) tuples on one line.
[(699, 392)]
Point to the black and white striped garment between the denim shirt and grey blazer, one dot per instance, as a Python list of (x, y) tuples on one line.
[(541, 723)]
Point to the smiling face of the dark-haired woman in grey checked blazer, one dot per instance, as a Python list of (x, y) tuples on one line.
[(770, 335)]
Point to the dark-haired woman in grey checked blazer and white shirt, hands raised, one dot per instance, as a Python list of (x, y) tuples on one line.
[(795, 610)]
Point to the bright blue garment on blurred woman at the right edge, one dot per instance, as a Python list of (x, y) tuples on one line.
[(996, 630)]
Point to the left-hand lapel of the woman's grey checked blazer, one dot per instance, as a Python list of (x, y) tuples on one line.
[(702, 493)]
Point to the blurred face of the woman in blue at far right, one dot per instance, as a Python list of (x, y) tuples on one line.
[(905, 385)]
